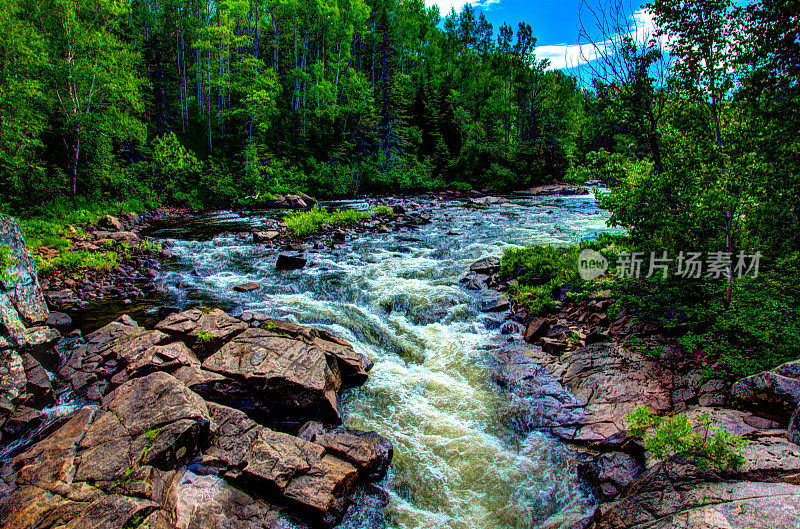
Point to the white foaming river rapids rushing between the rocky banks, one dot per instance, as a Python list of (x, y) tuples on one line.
[(398, 299)]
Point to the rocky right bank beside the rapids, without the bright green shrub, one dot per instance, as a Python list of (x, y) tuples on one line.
[(578, 377)]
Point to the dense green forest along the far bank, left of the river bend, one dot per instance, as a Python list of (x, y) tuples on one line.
[(213, 101)]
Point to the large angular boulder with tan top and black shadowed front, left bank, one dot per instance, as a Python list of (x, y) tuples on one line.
[(276, 377)]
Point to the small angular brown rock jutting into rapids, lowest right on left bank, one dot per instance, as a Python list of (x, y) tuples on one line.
[(368, 451)]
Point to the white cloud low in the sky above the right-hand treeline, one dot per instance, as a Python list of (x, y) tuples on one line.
[(642, 28)]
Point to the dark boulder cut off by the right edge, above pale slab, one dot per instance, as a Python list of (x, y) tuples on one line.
[(775, 393)]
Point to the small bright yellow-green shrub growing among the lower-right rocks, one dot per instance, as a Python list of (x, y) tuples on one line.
[(701, 442)]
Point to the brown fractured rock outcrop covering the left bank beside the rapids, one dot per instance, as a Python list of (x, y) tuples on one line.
[(205, 421)]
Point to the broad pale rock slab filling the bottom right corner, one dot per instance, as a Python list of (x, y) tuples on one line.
[(676, 494)]
